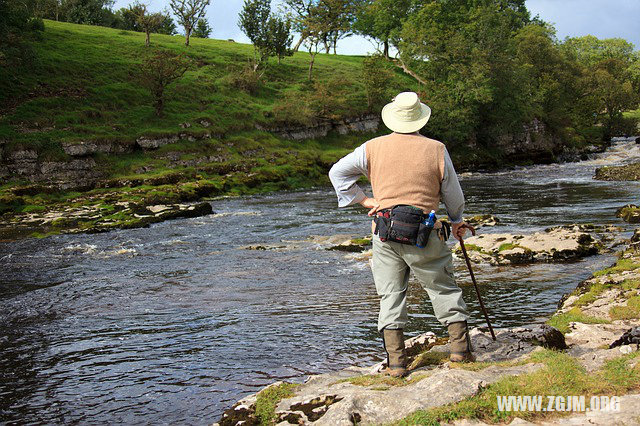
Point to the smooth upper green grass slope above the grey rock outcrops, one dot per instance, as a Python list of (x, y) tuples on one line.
[(83, 85)]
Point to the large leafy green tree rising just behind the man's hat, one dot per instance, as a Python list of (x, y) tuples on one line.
[(462, 53)]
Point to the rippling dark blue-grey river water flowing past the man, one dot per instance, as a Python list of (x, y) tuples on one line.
[(175, 322)]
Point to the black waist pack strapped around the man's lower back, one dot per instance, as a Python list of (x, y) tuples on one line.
[(404, 224)]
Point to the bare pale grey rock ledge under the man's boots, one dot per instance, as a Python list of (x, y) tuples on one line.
[(334, 398)]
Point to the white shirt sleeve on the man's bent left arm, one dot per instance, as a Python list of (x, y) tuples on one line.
[(344, 175)]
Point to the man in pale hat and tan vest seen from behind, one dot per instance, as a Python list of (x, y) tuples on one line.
[(409, 170)]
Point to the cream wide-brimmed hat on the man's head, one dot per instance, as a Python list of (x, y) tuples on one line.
[(406, 114)]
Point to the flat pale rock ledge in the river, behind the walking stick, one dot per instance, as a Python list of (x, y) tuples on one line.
[(556, 244)]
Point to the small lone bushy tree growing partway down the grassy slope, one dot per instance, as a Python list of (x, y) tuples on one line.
[(159, 71)]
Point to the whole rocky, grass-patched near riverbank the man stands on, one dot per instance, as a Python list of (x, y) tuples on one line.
[(586, 348)]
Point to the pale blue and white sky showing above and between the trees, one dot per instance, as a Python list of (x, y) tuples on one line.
[(571, 18)]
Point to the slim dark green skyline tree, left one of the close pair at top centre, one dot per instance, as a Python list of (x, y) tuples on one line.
[(253, 21)]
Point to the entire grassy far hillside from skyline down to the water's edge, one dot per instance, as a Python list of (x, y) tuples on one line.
[(83, 86)]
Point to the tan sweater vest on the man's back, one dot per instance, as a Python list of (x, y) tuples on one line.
[(406, 169)]
